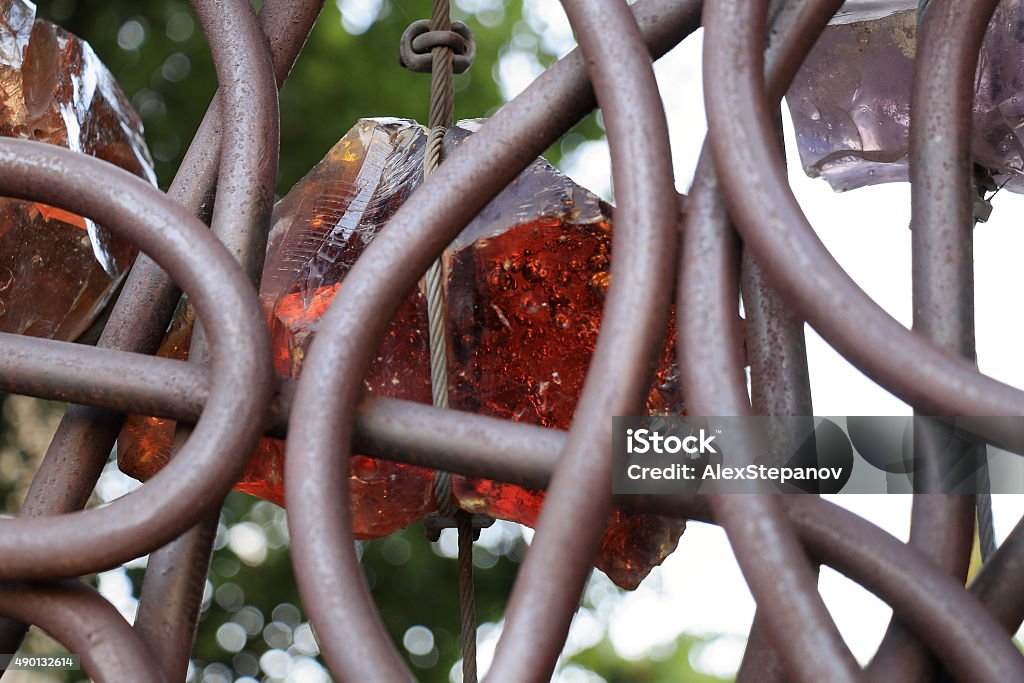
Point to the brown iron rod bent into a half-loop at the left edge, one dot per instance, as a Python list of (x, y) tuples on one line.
[(38, 548)]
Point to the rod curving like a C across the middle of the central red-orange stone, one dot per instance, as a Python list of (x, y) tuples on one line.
[(317, 464)]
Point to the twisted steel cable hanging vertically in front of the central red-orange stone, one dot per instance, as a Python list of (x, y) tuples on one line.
[(442, 111)]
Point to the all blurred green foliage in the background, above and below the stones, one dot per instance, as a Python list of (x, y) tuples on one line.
[(156, 51)]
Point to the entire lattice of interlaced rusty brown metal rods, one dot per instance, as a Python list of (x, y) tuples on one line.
[(741, 211)]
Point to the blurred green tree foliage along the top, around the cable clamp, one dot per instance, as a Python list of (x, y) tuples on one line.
[(349, 70)]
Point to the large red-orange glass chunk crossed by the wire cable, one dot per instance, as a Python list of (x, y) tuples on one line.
[(525, 288)]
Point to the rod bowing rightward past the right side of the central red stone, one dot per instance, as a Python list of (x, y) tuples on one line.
[(552, 578)]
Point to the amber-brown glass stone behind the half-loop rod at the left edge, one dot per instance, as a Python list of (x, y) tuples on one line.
[(59, 270)]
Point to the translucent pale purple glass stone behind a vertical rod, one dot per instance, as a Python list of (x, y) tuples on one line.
[(851, 101)]
